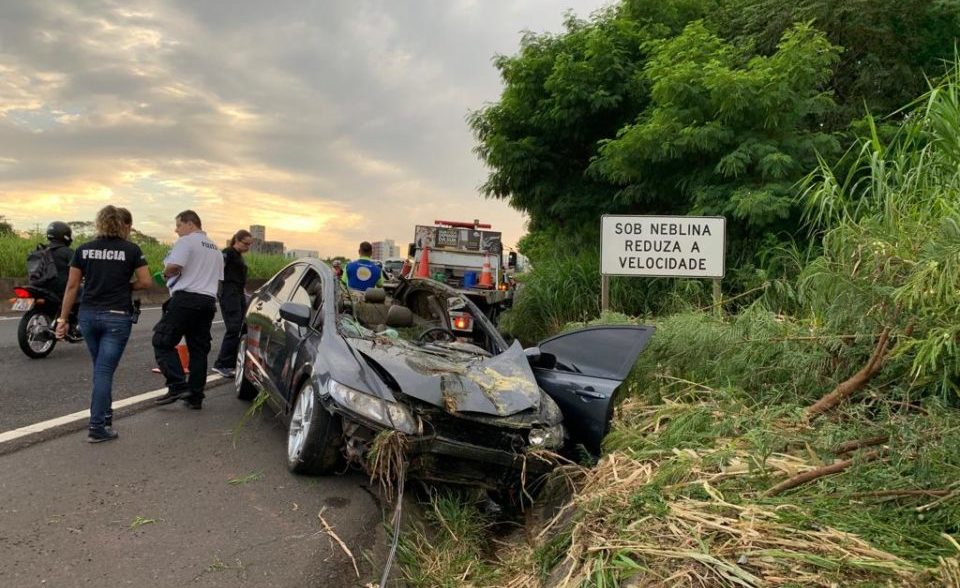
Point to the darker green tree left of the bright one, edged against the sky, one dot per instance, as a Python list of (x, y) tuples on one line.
[(563, 94)]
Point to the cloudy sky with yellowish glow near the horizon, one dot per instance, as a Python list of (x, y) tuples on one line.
[(329, 121)]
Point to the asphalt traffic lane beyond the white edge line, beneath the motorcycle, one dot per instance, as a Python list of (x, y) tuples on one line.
[(33, 390)]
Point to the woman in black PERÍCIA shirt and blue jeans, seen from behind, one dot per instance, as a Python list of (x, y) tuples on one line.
[(106, 266)]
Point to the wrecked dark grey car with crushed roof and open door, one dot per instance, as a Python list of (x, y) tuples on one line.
[(424, 361)]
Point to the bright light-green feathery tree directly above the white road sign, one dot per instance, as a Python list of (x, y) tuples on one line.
[(725, 133)]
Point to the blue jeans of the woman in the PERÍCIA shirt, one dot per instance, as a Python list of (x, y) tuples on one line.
[(106, 334)]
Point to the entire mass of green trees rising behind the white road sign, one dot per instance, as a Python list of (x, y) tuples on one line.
[(698, 106)]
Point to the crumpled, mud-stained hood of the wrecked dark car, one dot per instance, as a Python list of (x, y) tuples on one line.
[(455, 380)]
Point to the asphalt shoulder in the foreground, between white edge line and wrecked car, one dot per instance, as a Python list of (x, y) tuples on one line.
[(180, 500)]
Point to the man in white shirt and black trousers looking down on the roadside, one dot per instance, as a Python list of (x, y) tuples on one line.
[(193, 269)]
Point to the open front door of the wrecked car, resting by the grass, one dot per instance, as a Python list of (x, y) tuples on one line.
[(581, 370)]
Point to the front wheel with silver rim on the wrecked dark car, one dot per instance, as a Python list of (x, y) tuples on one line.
[(314, 436)]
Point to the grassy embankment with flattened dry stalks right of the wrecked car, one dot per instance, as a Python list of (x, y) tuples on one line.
[(809, 439)]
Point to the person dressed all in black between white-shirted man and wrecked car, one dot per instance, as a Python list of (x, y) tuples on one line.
[(233, 301)]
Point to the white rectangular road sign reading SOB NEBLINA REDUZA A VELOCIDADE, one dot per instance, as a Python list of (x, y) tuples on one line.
[(663, 246)]
